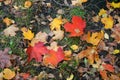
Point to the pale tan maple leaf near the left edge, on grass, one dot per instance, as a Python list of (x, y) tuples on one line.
[(11, 30)]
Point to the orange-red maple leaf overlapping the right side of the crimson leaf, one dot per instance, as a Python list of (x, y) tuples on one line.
[(53, 57)]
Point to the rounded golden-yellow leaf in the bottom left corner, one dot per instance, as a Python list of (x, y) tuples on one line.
[(8, 74)]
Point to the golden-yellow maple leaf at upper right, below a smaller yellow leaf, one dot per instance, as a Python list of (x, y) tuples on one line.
[(108, 22)]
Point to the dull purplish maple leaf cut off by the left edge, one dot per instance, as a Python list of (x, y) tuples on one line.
[(4, 58)]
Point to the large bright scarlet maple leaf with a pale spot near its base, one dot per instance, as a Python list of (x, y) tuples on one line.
[(76, 28)]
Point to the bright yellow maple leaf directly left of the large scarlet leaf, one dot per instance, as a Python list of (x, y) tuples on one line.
[(56, 24)]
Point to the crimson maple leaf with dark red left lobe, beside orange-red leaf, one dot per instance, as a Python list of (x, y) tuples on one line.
[(36, 51)]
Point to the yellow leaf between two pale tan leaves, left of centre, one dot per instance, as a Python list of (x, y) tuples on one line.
[(27, 33)]
